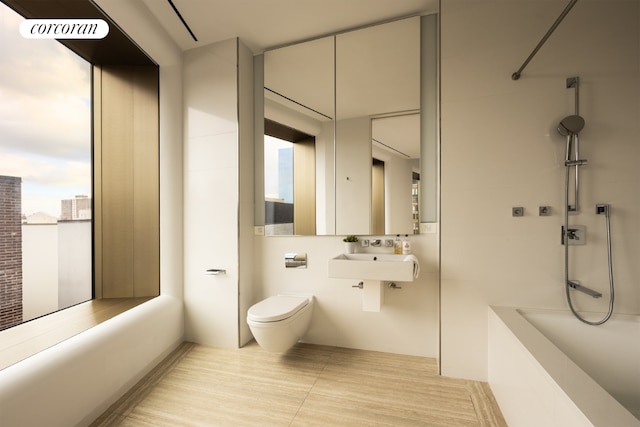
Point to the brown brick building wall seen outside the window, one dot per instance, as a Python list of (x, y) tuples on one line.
[(10, 251)]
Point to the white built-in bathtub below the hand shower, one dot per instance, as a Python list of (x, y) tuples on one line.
[(547, 368)]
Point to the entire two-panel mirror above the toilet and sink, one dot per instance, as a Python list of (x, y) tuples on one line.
[(342, 154)]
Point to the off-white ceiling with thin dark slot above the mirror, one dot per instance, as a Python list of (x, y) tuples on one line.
[(264, 24)]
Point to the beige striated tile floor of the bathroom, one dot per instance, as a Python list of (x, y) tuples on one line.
[(308, 386)]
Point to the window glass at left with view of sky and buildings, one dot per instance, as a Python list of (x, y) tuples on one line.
[(45, 175)]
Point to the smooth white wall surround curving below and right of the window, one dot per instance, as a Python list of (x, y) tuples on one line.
[(73, 382)]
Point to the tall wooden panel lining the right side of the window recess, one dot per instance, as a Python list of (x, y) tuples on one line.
[(129, 182)]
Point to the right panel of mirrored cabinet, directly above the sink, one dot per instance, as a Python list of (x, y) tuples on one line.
[(377, 75)]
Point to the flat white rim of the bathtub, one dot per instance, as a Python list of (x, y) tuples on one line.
[(579, 387)]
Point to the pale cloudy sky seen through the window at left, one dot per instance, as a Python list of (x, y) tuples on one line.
[(45, 118)]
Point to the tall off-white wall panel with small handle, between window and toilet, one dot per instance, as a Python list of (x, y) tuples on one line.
[(211, 197)]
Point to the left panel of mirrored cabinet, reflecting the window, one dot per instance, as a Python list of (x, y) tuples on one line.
[(299, 139)]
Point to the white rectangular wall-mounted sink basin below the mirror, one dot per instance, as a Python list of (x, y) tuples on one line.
[(372, 267)]
